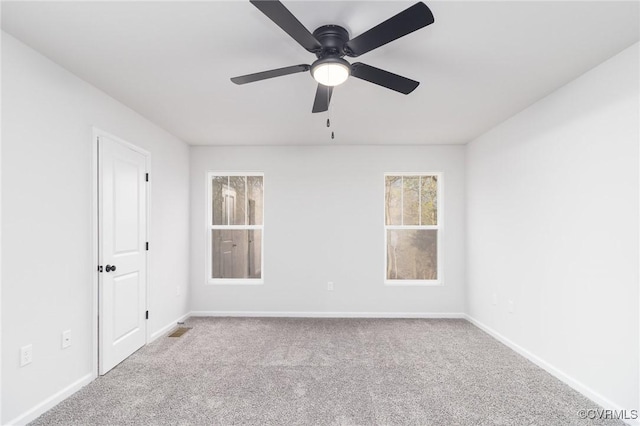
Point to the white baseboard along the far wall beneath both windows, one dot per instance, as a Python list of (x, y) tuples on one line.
[(306, 314)]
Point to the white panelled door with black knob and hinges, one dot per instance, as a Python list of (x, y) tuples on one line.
[(122, 221)]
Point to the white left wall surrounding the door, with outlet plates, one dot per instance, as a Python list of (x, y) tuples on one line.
[(47, 122)]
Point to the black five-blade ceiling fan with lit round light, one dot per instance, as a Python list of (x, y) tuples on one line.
[(330, 43)]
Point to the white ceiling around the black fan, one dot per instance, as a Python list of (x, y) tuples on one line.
[(478, 64)]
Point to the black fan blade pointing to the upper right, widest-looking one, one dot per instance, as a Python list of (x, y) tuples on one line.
[(405, 22)]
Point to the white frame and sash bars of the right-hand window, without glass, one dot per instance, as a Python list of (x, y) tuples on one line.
[(439, 227)]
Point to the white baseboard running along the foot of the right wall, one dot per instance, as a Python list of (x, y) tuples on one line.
[(554, 371)]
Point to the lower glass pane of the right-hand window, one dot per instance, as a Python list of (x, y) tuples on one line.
[(412, 254)]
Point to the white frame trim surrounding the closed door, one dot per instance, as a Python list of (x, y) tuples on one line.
[(95, 241)]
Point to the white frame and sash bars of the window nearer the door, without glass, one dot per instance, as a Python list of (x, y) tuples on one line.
[(210, 227)]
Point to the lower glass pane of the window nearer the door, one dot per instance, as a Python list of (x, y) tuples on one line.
[(236, 253)]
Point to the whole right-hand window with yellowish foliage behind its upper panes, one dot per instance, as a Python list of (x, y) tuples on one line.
[(413, 228)]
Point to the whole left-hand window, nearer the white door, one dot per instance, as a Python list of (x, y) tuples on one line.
[(235, 227)]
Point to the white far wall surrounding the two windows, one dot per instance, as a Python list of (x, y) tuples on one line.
[(324, 222)]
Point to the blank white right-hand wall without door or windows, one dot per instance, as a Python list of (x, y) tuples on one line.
[(553, 225)]
